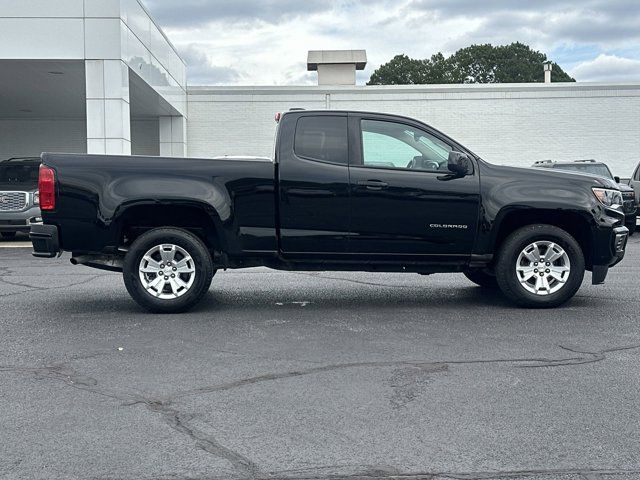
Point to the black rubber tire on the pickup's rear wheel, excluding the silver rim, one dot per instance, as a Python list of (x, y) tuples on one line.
[(201, 264)]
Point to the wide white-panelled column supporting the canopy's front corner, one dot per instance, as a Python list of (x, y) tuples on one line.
[(108, 112)]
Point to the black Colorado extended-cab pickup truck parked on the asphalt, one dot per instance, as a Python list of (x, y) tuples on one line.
[(345, 191)]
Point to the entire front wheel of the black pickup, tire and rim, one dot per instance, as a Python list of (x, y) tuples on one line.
[(540, 266)]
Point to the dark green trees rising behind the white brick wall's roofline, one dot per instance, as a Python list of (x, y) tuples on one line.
[(515, 63)]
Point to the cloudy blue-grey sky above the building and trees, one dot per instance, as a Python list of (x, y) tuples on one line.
[(265, 42)]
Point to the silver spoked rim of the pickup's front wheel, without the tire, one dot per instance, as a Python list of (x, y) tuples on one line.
[(543, 268)]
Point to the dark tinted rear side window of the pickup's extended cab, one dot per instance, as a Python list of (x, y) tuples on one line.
[(322, 138)]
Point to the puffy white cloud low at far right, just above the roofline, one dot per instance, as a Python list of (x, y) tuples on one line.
[(608, 68)]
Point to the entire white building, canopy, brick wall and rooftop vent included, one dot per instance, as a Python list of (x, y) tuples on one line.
[(99, 76)]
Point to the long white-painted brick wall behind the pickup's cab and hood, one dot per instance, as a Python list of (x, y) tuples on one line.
[(505, 124)]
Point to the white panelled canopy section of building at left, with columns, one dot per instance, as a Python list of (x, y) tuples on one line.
[(96, 76)]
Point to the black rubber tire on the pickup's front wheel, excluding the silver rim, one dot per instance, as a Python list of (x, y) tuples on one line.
[(507, 262)]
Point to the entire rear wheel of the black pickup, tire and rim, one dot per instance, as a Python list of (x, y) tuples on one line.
[(167, 270)]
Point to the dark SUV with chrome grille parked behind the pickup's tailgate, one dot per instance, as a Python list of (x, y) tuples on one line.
[(19, 199)]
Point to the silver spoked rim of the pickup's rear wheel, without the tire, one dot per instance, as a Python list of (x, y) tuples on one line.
[(167, 271)]
